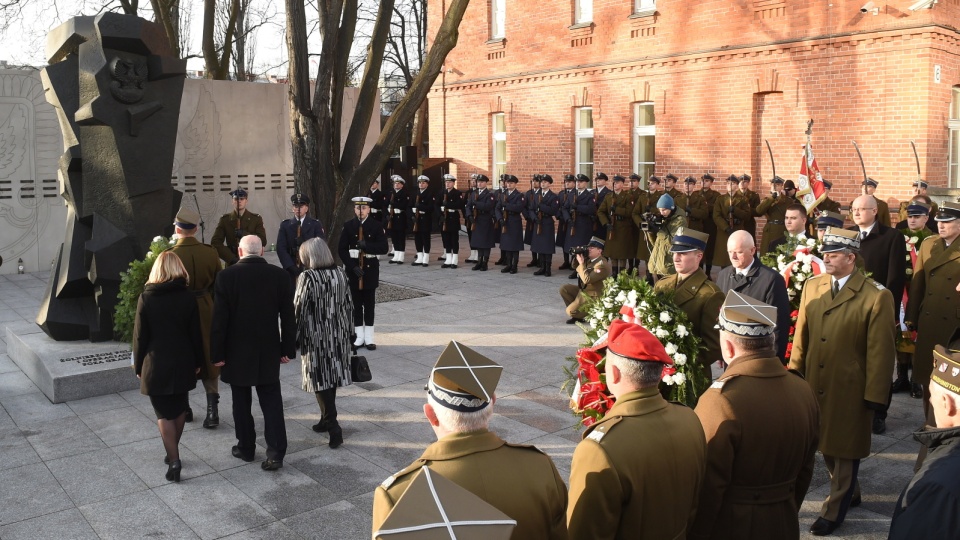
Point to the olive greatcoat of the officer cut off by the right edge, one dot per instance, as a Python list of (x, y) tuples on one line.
[(933, 305)]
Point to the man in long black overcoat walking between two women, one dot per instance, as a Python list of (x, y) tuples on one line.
[(249, 346)]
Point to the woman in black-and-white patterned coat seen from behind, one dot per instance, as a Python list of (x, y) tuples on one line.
[(324, 313)]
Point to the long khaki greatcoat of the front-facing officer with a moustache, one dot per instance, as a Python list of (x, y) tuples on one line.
[(845, 347)]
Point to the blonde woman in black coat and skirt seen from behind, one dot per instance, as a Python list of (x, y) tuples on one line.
[(168, 350)]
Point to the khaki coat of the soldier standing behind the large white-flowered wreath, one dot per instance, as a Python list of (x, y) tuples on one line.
[(700, 299)]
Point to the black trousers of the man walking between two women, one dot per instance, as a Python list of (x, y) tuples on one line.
[(274, 429)]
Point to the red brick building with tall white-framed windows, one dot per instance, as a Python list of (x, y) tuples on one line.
[(696, 86)]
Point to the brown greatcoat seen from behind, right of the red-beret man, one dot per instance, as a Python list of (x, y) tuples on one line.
[(759, 458)]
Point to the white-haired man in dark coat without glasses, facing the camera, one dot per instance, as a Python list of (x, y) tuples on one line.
[(747, 275)]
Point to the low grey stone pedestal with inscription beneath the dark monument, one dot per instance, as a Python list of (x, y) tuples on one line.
[(69, 370)]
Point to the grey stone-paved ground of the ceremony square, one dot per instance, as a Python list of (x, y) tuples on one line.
[(93, 468)]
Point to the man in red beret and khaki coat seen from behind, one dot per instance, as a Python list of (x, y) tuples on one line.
[(637, 472)]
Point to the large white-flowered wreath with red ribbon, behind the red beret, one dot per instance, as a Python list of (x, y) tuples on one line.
[(633, 299)]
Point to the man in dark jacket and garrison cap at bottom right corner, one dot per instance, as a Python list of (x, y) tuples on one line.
[(929, 507)]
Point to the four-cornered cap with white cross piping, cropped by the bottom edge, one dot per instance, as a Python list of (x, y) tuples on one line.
[(435, 507)]
